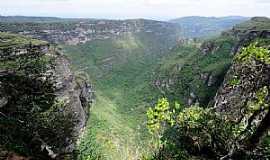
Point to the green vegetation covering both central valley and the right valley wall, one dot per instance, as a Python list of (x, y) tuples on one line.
[(121, 70)]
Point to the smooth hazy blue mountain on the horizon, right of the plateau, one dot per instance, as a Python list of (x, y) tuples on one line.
[(196, 26)]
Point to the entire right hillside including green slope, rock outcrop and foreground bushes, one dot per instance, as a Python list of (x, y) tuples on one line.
[(227, 81)]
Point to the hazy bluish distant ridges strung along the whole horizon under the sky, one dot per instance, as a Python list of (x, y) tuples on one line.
[(191, 27)]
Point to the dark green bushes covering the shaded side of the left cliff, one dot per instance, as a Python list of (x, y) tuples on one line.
[(30, 116)]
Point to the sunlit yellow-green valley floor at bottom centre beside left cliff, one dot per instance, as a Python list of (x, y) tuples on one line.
[(117, 133)]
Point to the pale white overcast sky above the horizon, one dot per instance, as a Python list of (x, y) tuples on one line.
[(123, 9)]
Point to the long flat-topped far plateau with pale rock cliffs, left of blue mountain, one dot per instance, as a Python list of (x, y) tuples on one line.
[(75, 31)]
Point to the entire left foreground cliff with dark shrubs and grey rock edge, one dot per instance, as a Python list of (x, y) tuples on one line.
[(43, 106)]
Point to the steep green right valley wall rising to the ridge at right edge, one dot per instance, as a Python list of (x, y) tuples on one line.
[(194, 71)]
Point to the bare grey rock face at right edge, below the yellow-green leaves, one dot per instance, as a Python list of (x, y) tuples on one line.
[(232, 99)]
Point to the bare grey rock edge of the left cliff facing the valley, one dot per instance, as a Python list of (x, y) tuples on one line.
[(77, 95)]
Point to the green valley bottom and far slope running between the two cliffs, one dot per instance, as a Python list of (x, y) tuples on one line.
[(120, 69)]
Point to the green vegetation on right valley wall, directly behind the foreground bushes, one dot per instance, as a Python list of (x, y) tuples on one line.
[(193, 71)]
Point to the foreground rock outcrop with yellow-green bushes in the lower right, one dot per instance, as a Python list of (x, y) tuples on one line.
[(235, 124)]
